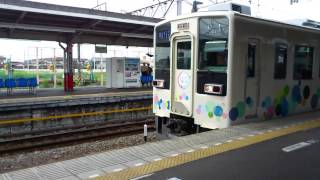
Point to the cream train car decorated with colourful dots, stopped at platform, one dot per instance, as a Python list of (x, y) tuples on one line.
[(216, 69)]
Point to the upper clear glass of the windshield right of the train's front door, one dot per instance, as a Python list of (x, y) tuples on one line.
[(213, 44)]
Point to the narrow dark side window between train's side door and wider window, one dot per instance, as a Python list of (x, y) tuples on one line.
[(280, 65)]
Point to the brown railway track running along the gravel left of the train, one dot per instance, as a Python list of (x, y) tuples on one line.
[(76, 136)]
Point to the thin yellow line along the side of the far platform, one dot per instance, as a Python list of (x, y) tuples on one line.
[(7, 122)]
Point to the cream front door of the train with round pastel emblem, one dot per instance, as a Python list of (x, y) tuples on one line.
[(182, 89)]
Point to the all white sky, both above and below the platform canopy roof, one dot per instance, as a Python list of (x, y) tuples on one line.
[(280, 10)]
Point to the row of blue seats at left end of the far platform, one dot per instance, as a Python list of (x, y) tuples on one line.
[(30, 83)]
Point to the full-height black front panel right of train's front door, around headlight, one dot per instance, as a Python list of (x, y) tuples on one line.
[(213, 53)]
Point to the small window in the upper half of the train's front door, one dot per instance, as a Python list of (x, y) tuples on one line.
[(184, 55)]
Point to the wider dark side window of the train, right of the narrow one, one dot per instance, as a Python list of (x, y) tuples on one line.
[(303, 62)]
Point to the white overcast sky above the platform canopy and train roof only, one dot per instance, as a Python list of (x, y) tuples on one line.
[(277, 9)]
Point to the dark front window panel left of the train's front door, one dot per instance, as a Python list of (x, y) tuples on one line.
[(162, 54)]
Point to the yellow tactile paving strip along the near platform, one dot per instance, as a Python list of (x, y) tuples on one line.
[(203, 153)]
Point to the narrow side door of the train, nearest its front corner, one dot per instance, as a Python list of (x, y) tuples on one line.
[(252, 84)]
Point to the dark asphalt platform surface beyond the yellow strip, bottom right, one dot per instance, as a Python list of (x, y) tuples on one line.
[(293, 156)]
